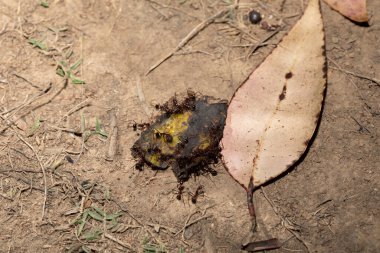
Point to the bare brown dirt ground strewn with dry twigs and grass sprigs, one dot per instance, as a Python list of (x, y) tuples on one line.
[(59, 193)]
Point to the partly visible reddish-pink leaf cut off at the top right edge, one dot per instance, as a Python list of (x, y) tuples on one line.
[(355, 10)]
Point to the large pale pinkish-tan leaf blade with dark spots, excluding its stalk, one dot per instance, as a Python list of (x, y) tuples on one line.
[(273, 115)]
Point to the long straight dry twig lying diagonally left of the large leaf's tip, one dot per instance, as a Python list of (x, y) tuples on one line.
[(191, 35)]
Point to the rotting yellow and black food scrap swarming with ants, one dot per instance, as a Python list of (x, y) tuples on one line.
[(186, 136)]
